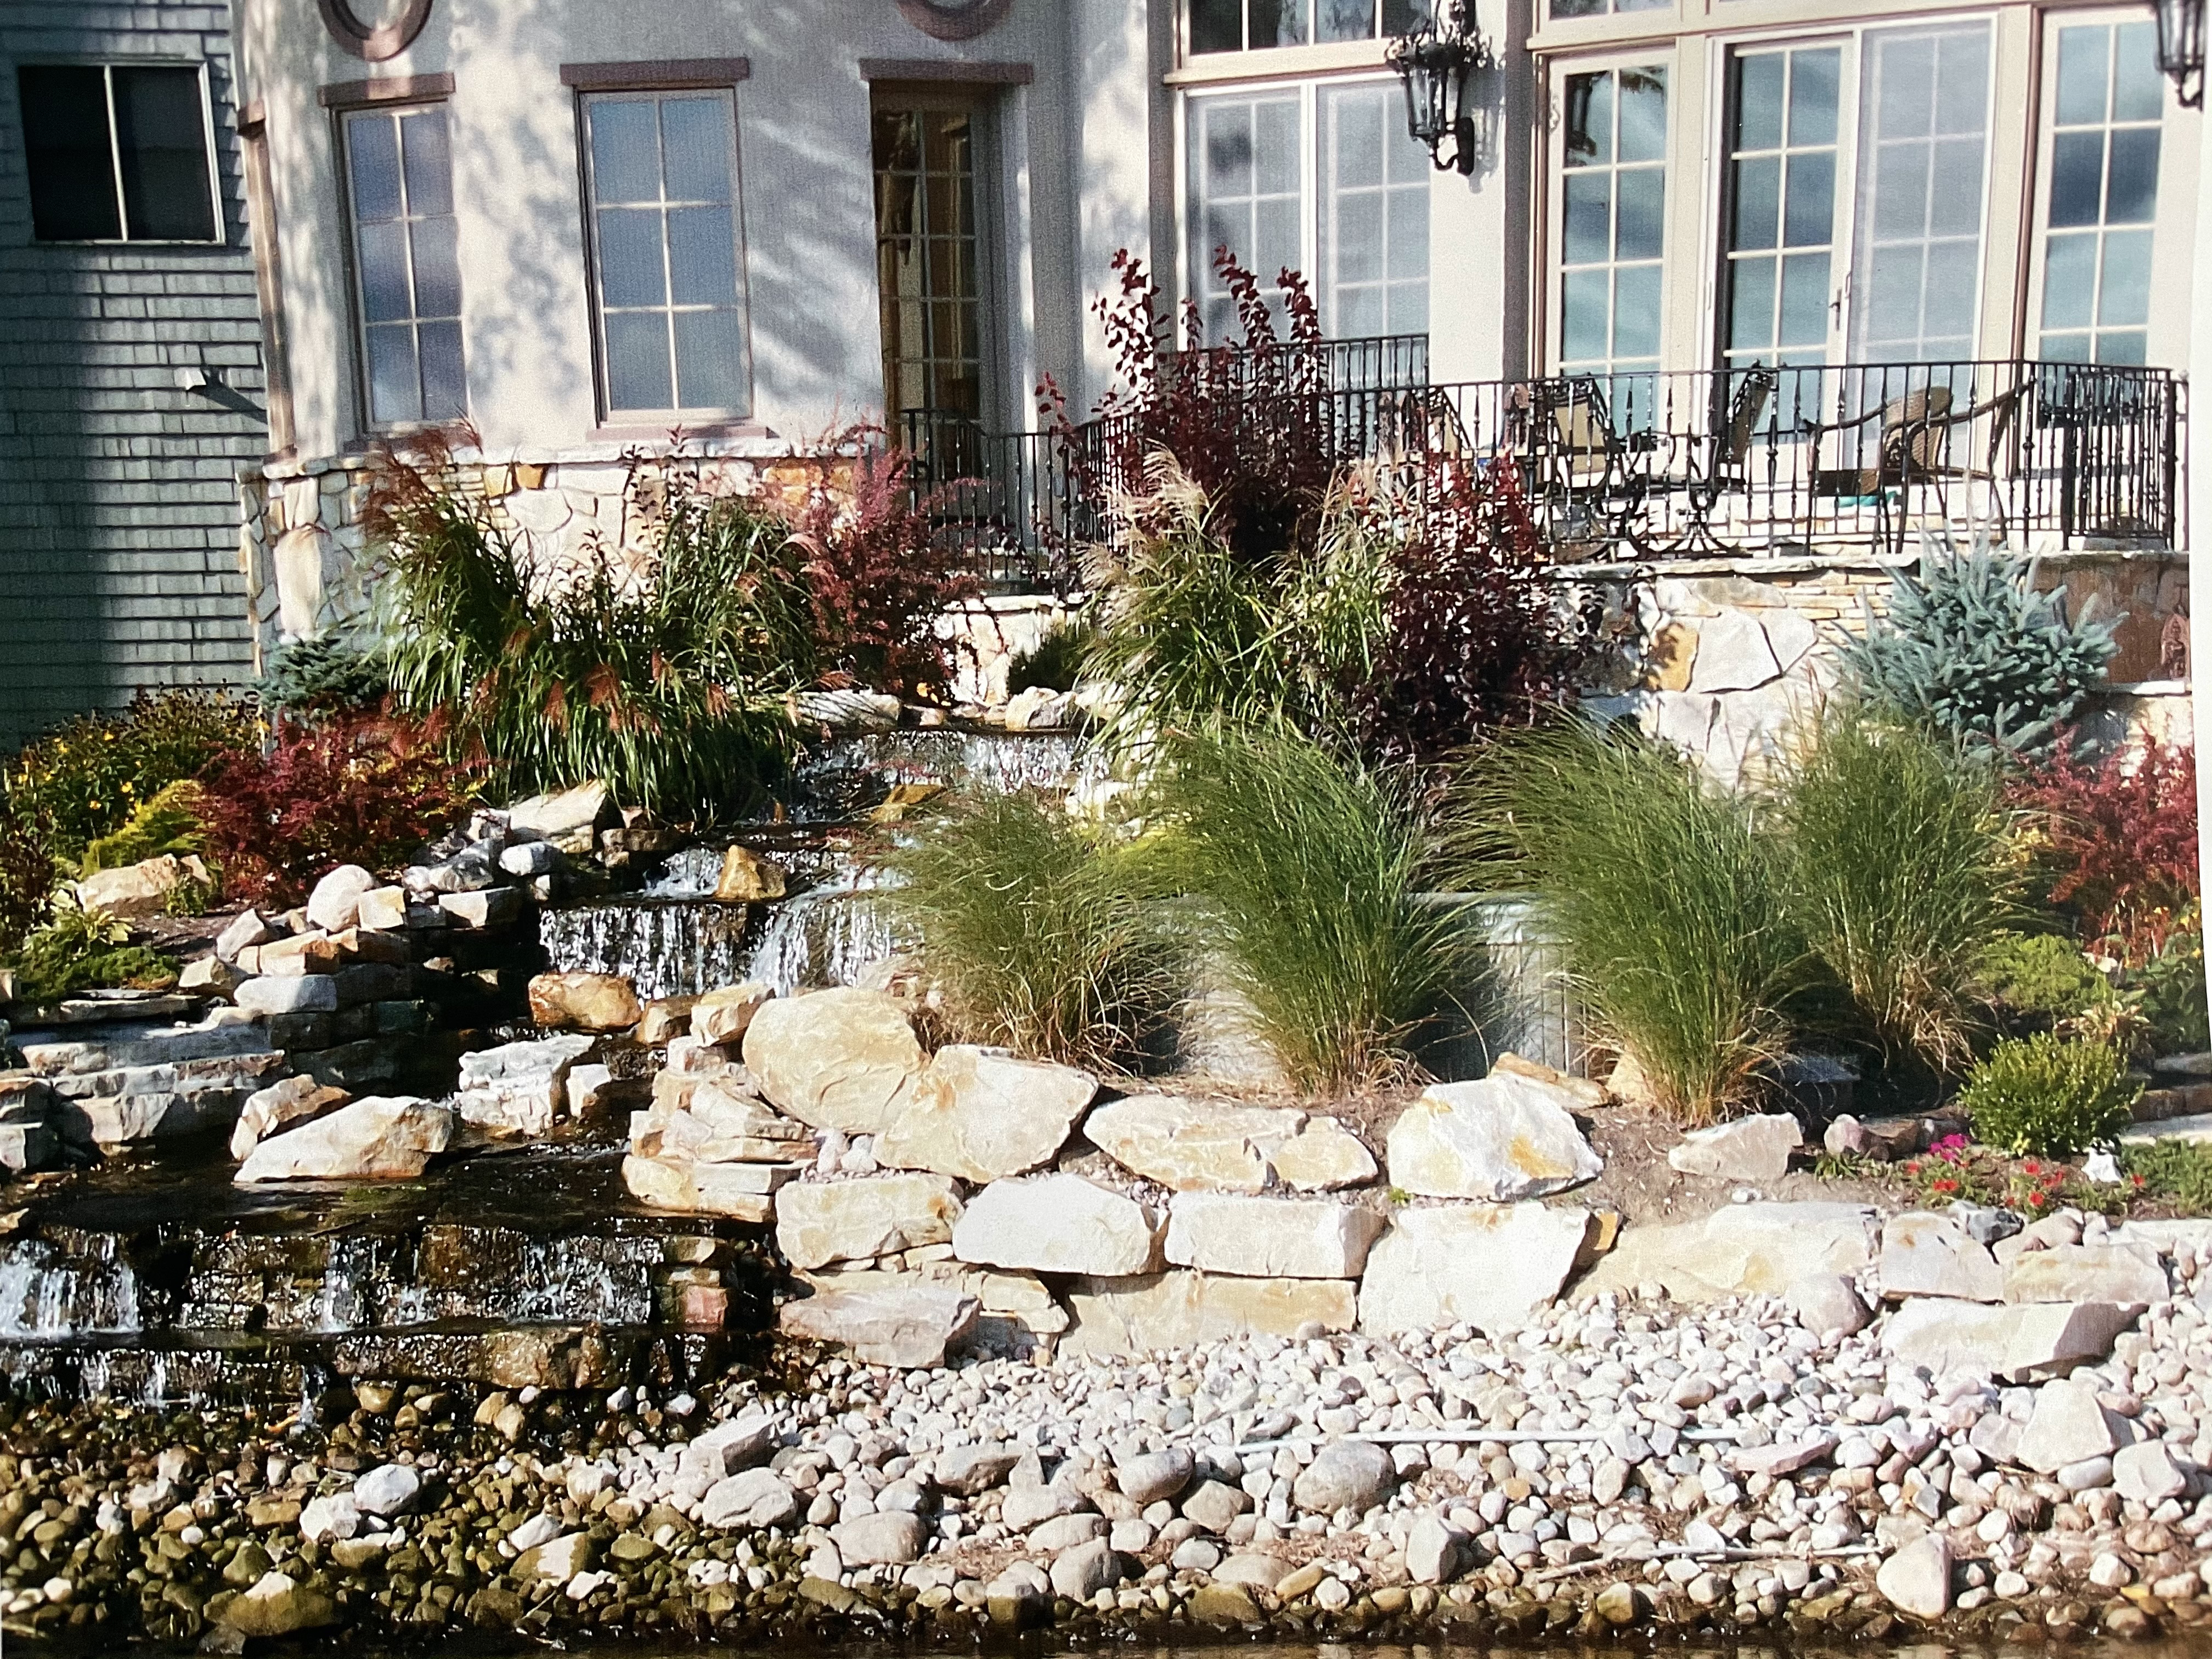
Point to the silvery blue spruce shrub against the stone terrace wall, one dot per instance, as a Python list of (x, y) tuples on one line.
[(1976, 654)]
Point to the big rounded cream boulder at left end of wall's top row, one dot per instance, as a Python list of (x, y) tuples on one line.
[(837, 1058)]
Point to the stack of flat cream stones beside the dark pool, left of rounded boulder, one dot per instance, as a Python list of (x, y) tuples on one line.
[(711, 1145)]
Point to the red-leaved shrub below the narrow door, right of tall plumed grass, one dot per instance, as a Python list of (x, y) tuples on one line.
[(877, 581)]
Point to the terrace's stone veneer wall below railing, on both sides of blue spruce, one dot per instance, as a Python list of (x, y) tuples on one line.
[(1722, 656)]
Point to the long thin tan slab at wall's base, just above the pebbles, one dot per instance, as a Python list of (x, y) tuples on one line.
[(1180, 1308)]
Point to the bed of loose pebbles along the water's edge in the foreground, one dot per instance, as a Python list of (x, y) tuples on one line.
[(1605, 1470)]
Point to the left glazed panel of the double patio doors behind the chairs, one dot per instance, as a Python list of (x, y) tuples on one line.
[(1782, 205)]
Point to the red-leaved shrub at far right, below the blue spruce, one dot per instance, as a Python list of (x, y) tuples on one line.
[(2120, 842)]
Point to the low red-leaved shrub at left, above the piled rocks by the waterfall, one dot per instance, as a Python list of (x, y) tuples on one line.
[(353, 791)]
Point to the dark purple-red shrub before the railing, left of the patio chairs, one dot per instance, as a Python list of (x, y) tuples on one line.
[(1472, 638)]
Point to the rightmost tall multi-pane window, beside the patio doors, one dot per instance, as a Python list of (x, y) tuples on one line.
[(2103, 194)]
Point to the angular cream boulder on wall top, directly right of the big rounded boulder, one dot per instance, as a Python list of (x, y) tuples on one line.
[(985, 1116)]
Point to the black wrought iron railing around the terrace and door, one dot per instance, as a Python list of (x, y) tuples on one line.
[(1746, 461)]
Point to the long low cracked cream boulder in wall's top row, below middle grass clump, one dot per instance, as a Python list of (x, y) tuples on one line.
[(1222, 1147)]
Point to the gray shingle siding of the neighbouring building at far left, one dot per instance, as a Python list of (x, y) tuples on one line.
[(118, 490)]
